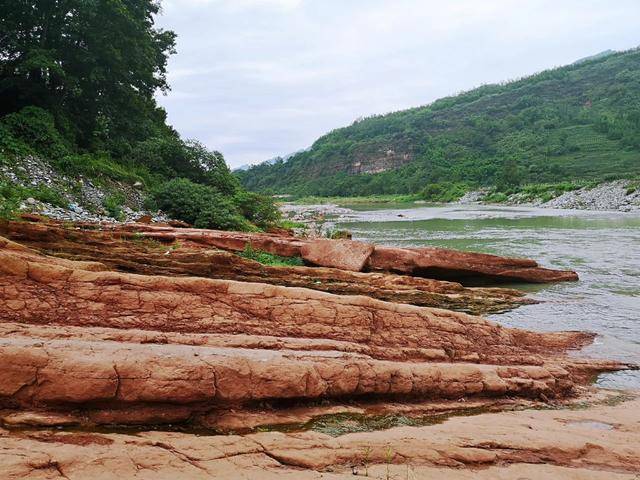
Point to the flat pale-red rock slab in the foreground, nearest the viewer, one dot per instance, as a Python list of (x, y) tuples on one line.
[(562, 444)]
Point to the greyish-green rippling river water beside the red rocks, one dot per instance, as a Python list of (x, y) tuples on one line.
[(603, 247)]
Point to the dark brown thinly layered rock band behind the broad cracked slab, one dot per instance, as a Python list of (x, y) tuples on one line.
[(132, 255)]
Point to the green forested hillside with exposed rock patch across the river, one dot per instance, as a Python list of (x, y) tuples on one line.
[(578, 122)]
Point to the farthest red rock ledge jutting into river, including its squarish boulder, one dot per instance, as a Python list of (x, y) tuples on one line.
[(426, 262)]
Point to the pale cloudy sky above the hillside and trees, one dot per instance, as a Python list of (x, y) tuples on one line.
[(256, 79)]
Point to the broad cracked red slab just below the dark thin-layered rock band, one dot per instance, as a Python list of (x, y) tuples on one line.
[(37, 291)]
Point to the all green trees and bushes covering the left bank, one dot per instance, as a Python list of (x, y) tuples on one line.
[(77, 86)]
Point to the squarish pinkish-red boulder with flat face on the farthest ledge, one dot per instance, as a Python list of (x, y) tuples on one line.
[(341, 254)]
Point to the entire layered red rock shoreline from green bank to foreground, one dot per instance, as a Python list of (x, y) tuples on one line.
[(150, 351)]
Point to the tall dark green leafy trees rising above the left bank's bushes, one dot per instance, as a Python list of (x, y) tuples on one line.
[(93, 64)]
